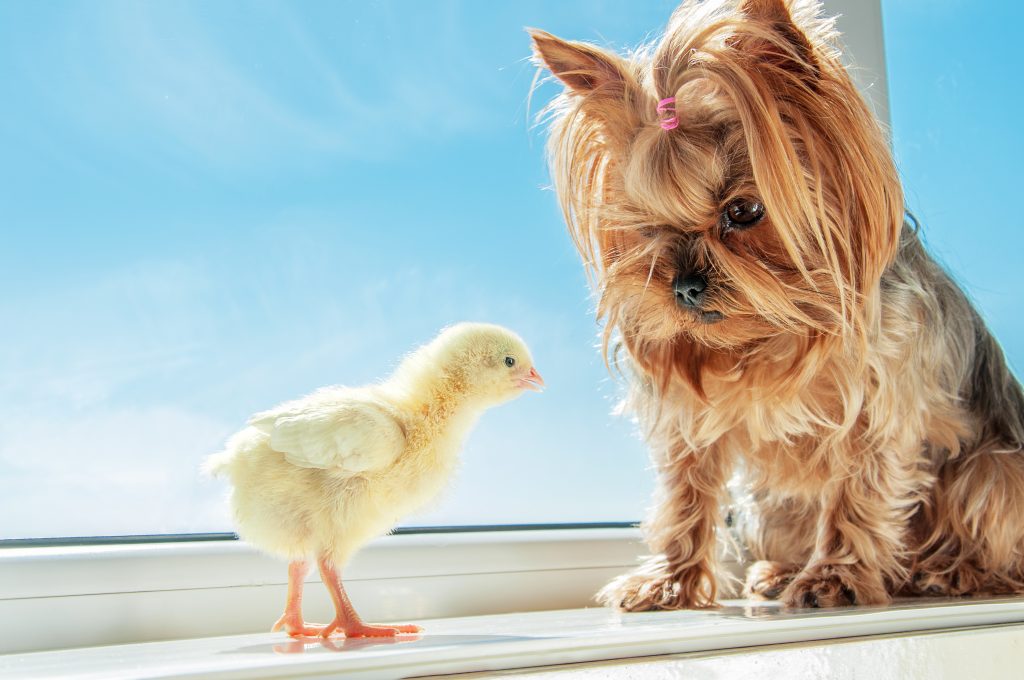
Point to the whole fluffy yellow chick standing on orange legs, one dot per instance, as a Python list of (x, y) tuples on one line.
[(320, 477)]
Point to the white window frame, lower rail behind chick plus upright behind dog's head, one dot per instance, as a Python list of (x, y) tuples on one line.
[(54, 597)]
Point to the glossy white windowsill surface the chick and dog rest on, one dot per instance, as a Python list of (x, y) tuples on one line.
[(539, 640)]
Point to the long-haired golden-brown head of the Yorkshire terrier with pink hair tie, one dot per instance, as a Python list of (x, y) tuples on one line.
[(727, 186)]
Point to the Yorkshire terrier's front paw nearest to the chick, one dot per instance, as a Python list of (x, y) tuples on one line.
[(653, 587)]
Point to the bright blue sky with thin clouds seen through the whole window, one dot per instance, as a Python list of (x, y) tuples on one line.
[(208, 208)]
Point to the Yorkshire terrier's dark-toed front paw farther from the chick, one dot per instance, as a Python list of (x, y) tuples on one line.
[(834, 586)]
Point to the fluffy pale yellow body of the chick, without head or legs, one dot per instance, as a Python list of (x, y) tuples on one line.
[(327, 477)]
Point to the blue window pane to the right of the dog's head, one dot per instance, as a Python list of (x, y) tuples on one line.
[(956, 100)]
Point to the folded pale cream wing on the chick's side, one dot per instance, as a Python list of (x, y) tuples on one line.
[(352, 435)]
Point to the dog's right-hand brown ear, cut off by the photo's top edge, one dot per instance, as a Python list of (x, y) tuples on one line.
[(775, 39)]
